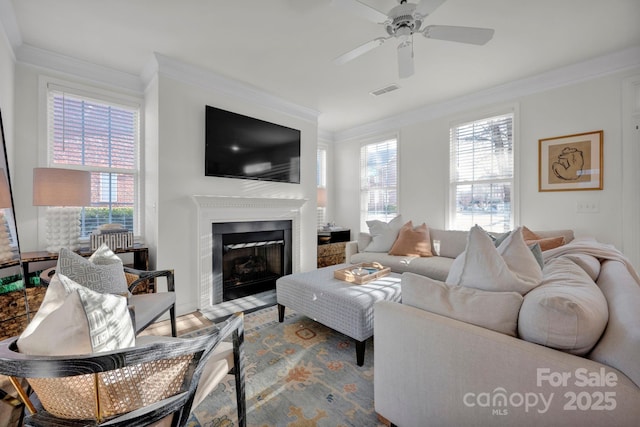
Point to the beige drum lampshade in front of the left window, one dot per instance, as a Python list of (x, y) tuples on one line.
[(61, 187)]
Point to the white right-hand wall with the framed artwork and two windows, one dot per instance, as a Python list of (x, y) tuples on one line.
[(424, 160)]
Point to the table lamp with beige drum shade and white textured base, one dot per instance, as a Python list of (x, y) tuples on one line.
[(64, 192)]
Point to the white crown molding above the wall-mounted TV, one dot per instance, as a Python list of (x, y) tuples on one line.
[(192, 74)]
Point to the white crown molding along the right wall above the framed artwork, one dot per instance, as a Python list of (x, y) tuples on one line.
[(572, 74)]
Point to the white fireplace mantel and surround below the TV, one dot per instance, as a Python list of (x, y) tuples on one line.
[(215, 209)]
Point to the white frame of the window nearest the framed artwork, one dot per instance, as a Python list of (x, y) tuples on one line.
[(451, 202)]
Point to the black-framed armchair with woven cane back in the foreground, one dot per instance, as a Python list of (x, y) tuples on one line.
[(154, 383)]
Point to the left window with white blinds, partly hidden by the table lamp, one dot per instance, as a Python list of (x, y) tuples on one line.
[(87, 132)]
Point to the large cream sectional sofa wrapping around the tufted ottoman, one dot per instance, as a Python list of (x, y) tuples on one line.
[(572, 357)]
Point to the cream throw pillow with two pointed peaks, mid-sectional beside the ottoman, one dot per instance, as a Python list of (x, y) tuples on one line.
[(510, 267)]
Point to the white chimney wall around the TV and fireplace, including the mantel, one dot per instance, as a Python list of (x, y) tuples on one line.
[(181, 122)]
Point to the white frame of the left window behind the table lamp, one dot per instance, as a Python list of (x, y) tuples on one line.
[(107, 96)]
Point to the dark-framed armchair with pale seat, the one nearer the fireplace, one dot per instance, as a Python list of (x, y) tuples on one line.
[(148, 304)]
